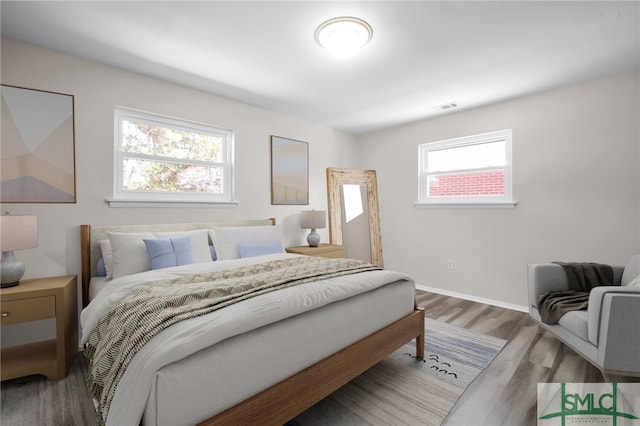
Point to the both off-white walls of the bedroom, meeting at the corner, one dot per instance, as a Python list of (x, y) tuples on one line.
[(576, 175)]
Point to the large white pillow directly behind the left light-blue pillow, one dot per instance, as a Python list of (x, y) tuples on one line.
[(130, 254)]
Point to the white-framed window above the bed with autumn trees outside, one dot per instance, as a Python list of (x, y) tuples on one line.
[(161, 159)]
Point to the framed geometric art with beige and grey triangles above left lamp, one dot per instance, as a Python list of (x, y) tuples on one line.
[(38, 147)]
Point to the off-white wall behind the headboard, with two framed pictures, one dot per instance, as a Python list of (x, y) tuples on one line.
[(97, 89)]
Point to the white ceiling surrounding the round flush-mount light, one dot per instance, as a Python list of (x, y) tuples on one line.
[(423, 53)]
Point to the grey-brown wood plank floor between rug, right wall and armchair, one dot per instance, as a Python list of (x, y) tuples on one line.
[(505, 393)]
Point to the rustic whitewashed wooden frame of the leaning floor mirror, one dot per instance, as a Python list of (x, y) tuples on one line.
[(336, 177)]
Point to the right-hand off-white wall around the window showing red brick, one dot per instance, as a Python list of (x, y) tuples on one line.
[(576, 179)]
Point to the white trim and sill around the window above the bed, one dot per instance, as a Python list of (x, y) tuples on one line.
[(159, 199)]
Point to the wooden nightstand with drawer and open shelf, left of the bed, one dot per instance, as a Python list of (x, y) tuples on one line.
[(33, 300)]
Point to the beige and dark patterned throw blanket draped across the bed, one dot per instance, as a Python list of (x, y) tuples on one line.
[(134, 320)]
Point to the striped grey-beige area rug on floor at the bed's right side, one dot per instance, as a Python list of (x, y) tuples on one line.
[(403, 390)]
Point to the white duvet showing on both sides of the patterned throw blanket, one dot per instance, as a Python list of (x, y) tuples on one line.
[(193, 335)]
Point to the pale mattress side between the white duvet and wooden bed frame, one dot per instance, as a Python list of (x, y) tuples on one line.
[(244, 365)]
